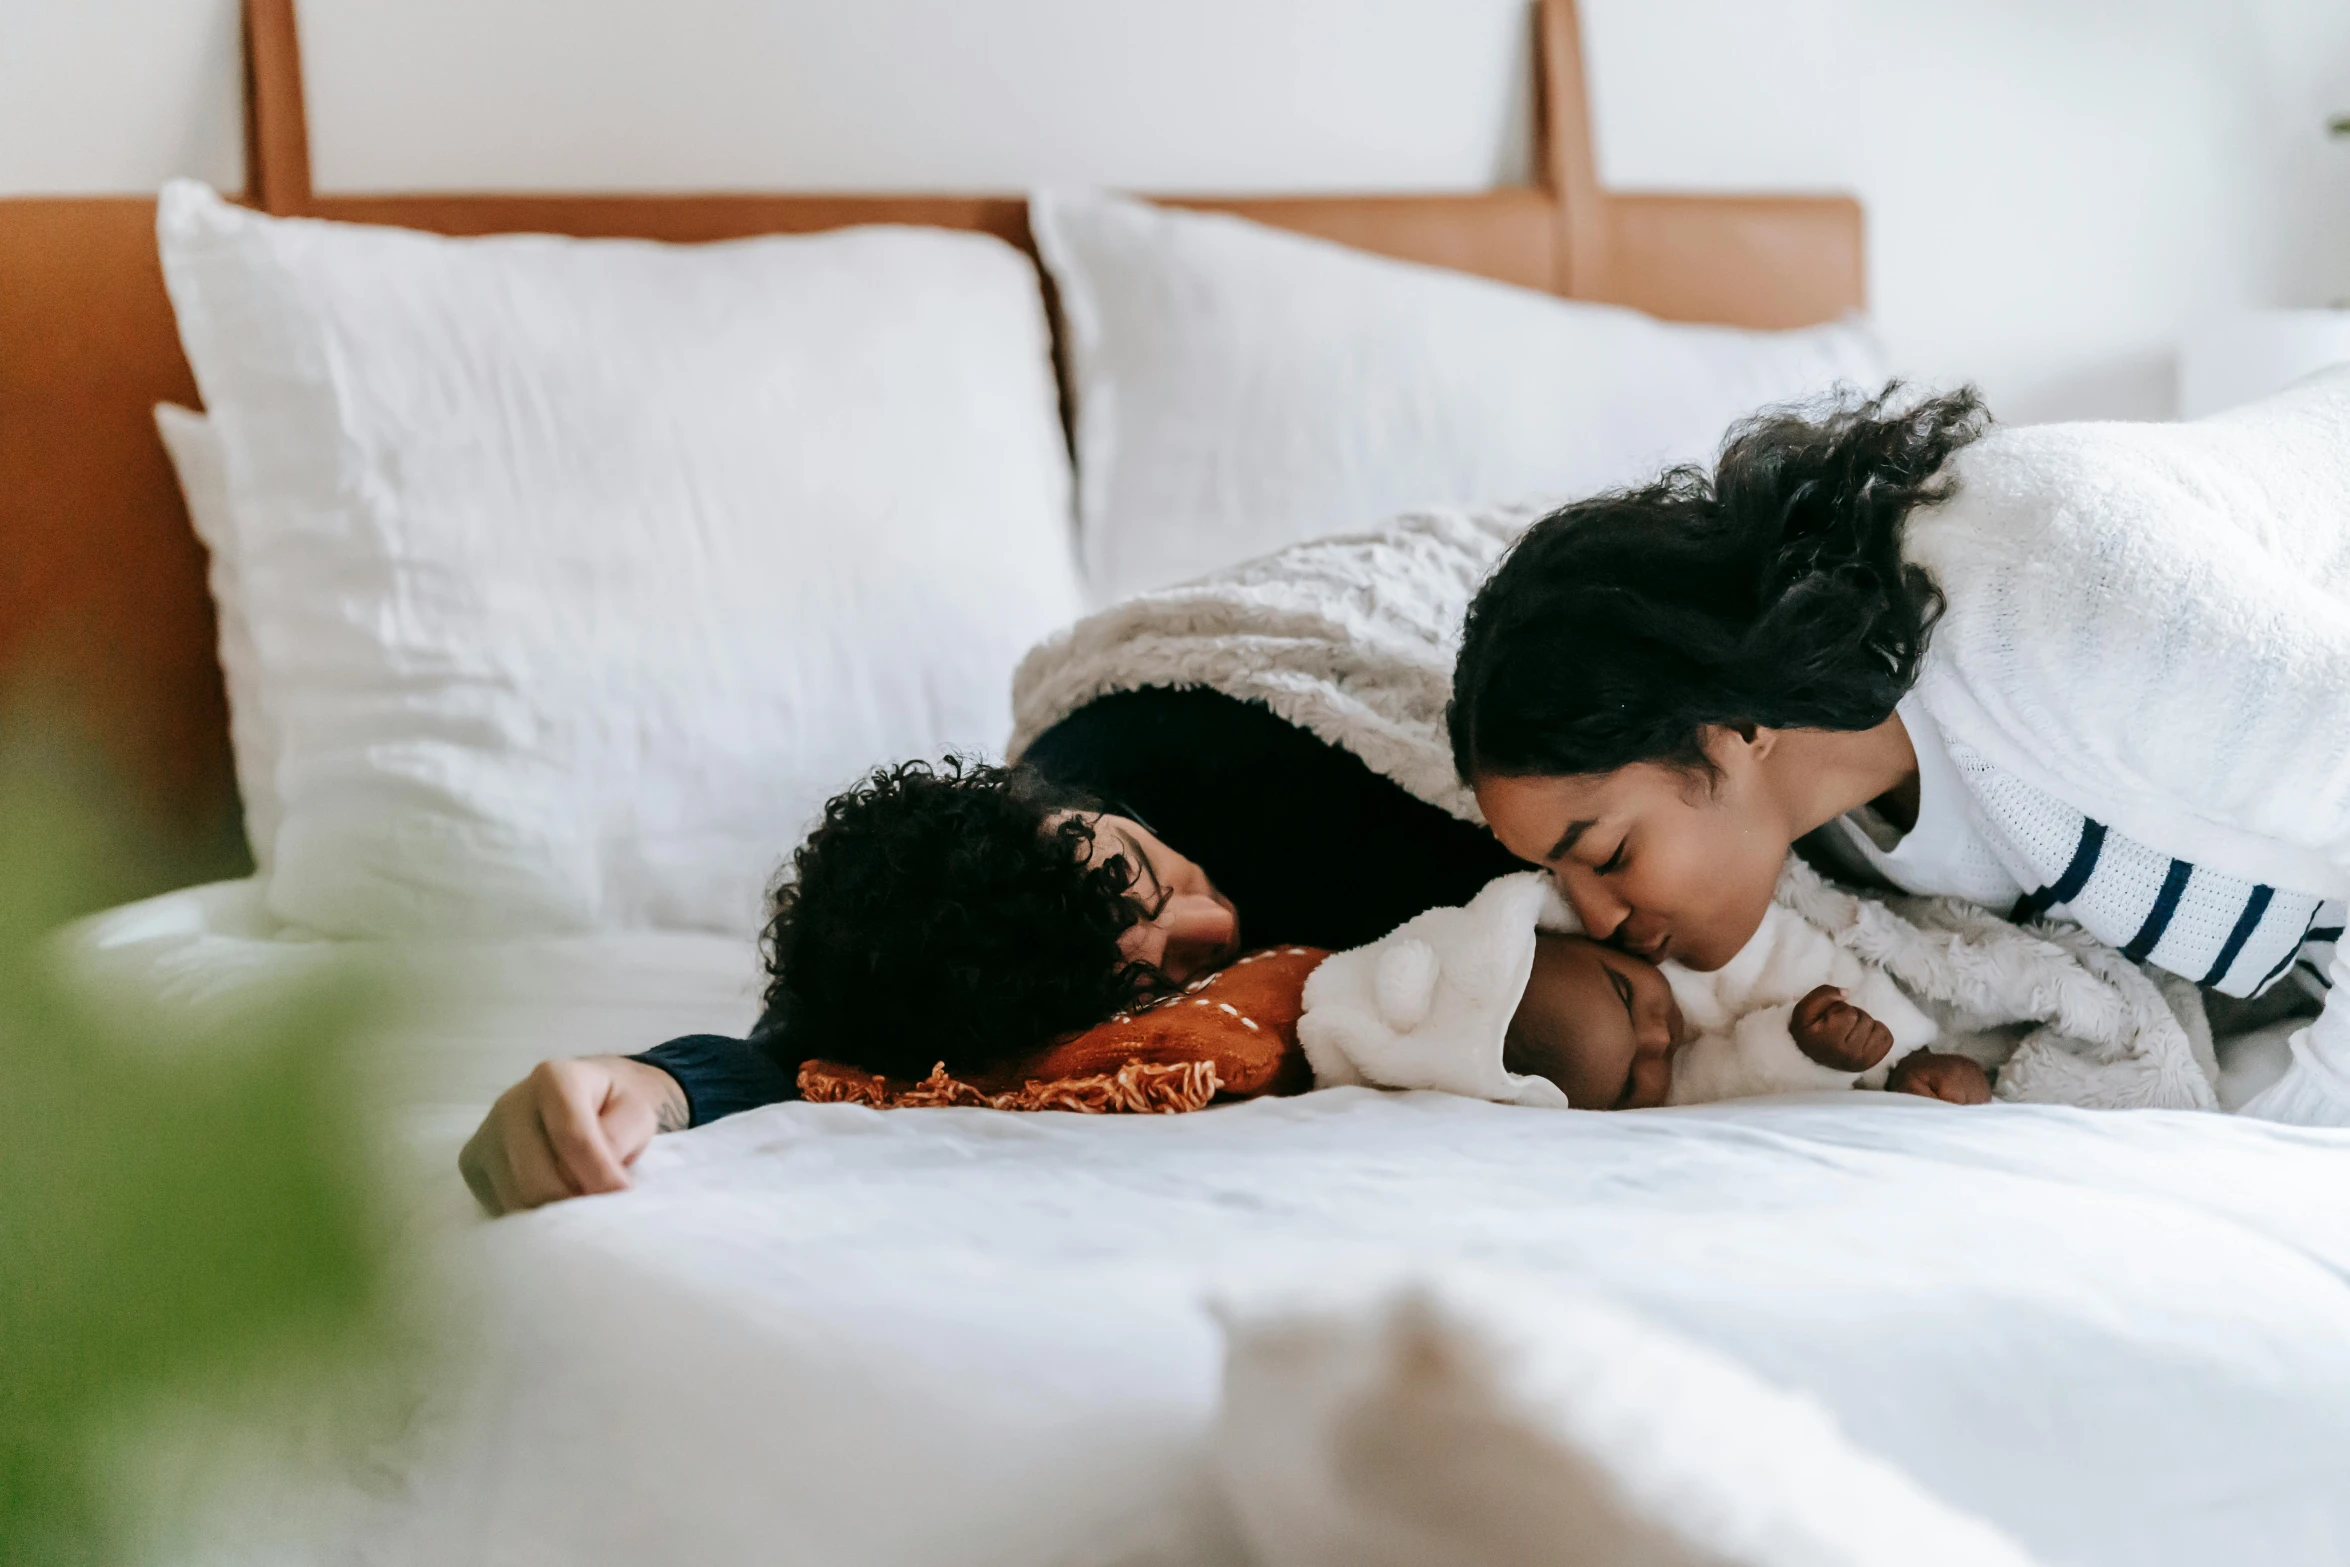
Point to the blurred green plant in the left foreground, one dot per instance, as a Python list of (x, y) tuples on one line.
[(189, 1204)]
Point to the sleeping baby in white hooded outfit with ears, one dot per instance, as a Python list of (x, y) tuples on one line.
[(1500, 1004)]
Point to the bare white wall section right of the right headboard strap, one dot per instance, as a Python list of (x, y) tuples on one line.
[(2055, 189)]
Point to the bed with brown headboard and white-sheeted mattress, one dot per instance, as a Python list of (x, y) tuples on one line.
[(833, 1336)]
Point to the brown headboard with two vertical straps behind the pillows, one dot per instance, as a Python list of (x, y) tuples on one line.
[(102, 584)]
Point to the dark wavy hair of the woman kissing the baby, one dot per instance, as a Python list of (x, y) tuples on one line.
[(1764, 593)]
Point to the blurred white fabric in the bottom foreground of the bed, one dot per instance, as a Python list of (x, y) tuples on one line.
[(1479, 1420)]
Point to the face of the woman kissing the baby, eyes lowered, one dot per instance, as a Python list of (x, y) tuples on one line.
[(1656, 861)]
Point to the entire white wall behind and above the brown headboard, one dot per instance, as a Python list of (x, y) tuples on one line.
[(2055, 189)]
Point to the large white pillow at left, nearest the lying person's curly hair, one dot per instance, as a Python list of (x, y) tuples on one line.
[(579, 572)]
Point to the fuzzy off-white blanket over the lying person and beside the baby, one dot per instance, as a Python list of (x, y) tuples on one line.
[(1352, 640)]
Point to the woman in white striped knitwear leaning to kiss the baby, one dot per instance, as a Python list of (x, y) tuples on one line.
[(1665, 690)]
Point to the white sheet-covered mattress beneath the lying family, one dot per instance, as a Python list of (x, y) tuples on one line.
[(835, 1336)]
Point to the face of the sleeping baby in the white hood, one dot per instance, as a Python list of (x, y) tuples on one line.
[(1599, 1023)]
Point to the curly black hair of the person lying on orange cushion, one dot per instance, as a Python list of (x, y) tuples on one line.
[(948, 915)]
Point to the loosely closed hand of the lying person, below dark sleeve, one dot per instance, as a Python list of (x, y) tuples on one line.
[(570, 1129)]
